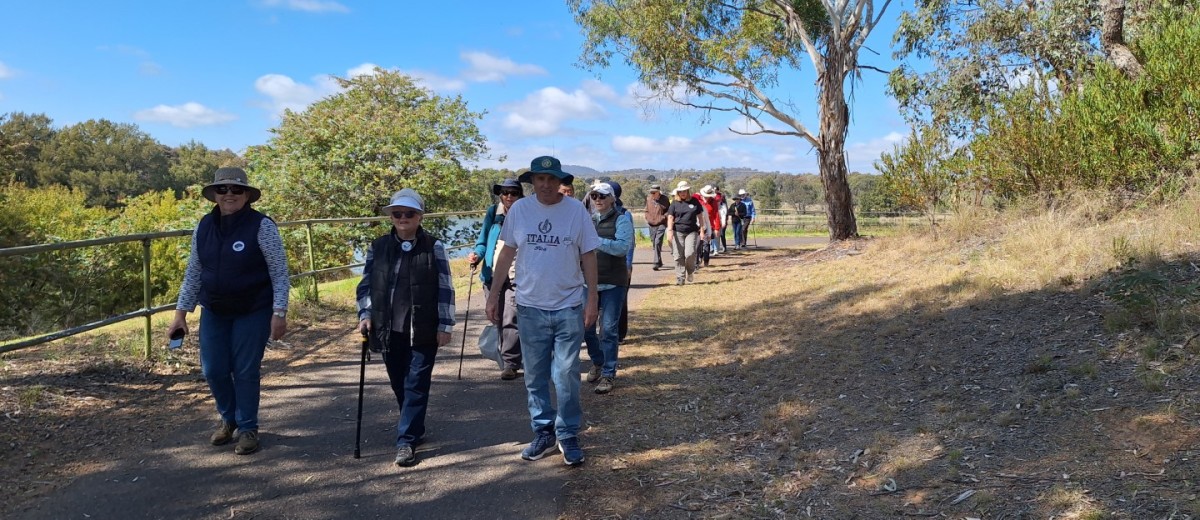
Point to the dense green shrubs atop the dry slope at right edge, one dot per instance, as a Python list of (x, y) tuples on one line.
[(1108, 133)]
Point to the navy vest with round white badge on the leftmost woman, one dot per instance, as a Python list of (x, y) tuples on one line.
[(235, 278)]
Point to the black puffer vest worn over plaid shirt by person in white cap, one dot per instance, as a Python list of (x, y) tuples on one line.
[(422, 289)]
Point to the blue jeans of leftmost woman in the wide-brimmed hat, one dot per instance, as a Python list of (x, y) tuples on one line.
[(231, 357)]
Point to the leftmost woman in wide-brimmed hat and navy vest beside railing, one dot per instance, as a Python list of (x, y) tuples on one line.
[(238, 272)]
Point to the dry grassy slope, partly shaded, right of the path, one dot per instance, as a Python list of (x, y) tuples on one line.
[(835, 384)]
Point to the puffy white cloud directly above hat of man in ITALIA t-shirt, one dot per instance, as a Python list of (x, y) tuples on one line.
[(544, 112)]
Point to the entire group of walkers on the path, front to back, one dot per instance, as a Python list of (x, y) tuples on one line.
[(556, 273)]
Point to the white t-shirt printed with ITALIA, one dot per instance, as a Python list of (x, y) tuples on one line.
[(550, 241)]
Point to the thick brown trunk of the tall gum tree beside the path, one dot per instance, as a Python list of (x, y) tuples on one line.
[(832, 153)]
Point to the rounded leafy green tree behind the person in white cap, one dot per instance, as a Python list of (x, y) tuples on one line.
[(345, 156)]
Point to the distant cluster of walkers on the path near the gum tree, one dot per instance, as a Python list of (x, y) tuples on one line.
[(697, 224)]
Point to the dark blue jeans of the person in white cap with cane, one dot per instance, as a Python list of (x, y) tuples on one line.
[(411, 373)]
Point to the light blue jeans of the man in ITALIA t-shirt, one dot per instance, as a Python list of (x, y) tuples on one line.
[(550, 349)]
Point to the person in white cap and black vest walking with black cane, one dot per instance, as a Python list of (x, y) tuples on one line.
[(406, 308)]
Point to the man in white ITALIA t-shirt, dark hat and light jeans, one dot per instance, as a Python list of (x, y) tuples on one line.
[(556, 302)]
